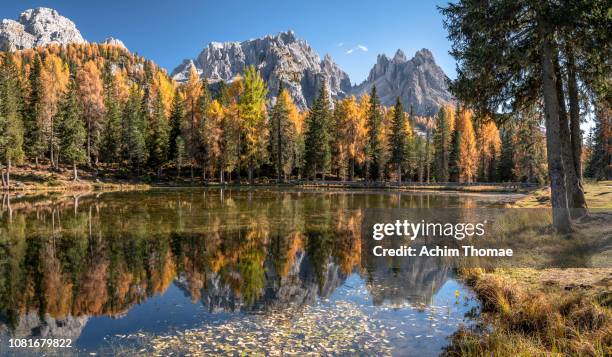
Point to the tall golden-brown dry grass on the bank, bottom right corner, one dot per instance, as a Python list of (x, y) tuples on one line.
[(530, 322)]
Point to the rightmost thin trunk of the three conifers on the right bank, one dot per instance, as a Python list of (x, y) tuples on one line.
[(580, 206)]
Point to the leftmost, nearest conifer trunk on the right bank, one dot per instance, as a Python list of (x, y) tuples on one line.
[(561, 218)]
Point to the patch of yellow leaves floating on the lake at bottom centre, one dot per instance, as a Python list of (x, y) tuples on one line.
[(339, 328)]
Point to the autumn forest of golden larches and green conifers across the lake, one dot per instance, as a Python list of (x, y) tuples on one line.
[(101, 106)]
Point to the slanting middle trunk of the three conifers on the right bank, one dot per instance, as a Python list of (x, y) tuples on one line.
[(575, 193)]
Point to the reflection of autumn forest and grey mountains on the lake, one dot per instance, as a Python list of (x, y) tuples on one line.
[(65, 261)]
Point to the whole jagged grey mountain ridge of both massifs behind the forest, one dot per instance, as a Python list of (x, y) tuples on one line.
[(419, 82)]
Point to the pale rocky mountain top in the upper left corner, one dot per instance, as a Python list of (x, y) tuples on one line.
[(38, 27)]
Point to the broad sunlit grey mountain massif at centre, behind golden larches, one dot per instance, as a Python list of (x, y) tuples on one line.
[(280, 59)]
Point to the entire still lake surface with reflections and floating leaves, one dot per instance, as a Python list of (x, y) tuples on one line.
[(219, 271)]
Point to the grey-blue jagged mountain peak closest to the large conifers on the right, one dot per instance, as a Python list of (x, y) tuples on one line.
[(419, 82)]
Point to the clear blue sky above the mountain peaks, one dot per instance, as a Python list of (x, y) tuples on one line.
[(352, 32)]
